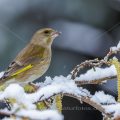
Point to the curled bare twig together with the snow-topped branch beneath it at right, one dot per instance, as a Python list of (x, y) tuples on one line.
[(97, 74)]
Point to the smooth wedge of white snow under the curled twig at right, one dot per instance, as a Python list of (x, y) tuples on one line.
[(97, 74)]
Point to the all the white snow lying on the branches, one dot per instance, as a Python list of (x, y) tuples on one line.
[(57, 85)]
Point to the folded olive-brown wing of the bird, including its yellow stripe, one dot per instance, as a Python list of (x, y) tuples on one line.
[(24, 61)]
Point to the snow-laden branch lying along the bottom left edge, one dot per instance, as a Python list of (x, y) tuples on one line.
[(34, 115)]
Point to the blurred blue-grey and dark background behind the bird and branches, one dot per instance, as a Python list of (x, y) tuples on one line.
[(89, 28)]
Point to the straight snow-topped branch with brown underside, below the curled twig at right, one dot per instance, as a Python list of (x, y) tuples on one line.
[(97, 76)]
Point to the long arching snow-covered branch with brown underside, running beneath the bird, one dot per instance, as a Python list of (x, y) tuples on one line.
[(51, 87)]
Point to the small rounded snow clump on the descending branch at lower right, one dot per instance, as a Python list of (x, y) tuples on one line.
[(102, 98)]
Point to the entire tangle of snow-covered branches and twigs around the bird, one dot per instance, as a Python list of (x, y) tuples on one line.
[(21, 104)]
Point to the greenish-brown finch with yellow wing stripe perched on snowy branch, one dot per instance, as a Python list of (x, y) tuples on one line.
[(33, 60)]
